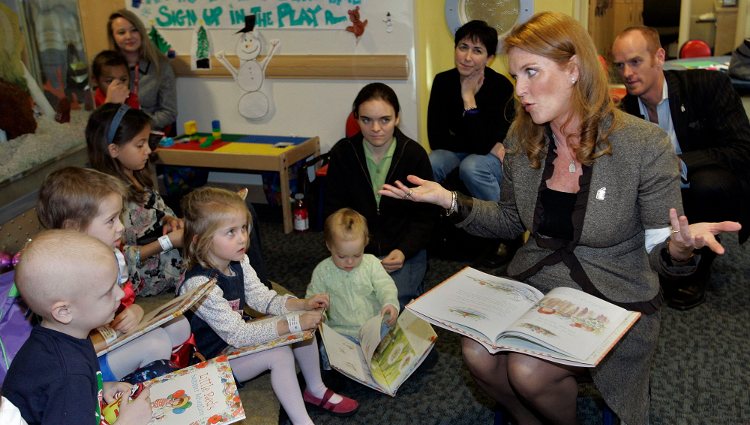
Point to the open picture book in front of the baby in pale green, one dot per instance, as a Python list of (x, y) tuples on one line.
[(382, 364)]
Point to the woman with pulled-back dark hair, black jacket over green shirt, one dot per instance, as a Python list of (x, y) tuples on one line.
[(380, 153)]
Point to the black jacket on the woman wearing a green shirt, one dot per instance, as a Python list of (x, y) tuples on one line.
[(397, 224)]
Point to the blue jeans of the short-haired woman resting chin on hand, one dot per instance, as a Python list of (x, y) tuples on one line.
[(481, 174)]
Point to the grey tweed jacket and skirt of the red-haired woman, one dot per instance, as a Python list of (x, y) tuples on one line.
[(631, 190)]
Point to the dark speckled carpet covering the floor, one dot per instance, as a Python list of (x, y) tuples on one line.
[(700, 376)]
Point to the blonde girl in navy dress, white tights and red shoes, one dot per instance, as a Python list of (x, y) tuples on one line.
[(217, 223)]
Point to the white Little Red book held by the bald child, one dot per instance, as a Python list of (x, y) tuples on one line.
[(202, 394)]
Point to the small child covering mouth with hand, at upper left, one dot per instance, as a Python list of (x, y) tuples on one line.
[(110, 72)]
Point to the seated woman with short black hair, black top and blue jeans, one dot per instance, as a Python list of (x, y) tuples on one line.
[(469, 113)]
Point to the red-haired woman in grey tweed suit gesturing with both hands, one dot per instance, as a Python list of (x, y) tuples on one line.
[(599, 193)]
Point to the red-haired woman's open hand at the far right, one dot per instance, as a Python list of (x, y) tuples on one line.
[(688, 237)]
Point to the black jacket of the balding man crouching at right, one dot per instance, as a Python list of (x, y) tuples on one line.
[(711, 125)]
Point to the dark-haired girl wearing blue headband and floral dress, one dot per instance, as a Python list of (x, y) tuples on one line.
[(117, 141)]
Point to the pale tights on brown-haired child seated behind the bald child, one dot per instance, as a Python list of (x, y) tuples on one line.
[(154, 345)]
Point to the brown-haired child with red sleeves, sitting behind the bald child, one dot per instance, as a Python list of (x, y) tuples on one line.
[(89, 201)]
